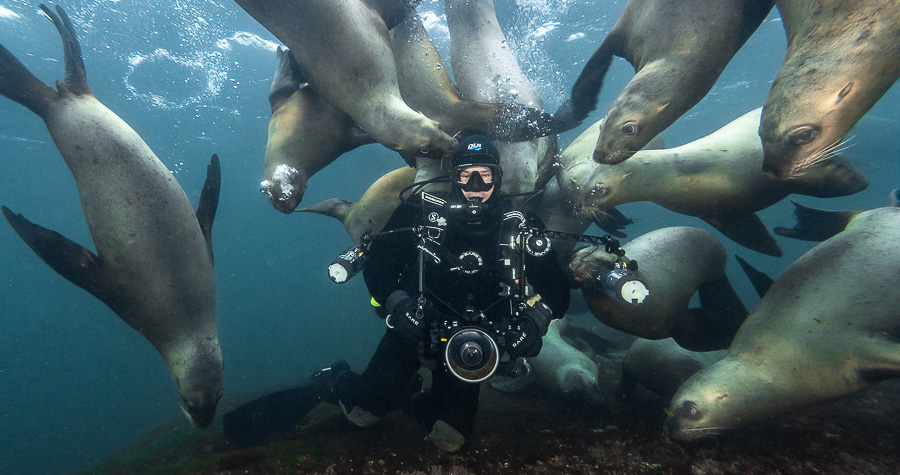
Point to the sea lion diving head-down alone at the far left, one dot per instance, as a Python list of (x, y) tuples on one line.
[(154, 264)]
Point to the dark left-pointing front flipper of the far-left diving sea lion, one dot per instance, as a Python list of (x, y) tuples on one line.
[(68, 258)]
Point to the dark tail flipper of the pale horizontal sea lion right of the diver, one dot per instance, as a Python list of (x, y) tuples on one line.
[(829, 178)]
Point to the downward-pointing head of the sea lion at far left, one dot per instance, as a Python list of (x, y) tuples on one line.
[(197, 372)]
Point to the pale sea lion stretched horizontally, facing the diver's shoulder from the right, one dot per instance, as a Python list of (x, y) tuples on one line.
[(717, 178)]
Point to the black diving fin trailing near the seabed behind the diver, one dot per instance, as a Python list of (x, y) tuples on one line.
[(275, 415)]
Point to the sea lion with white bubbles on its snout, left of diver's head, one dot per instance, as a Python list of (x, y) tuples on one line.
[(306, 134)]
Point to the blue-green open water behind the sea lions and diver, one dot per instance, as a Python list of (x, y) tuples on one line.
[(192, 77)]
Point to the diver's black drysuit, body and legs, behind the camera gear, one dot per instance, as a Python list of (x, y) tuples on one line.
[(394, 265)]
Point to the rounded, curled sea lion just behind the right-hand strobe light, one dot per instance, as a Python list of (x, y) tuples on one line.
[(673, 263)]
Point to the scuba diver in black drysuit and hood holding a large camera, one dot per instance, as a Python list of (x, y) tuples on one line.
[(449, 272)]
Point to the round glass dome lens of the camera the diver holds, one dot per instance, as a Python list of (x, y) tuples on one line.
[(471, 355)]
